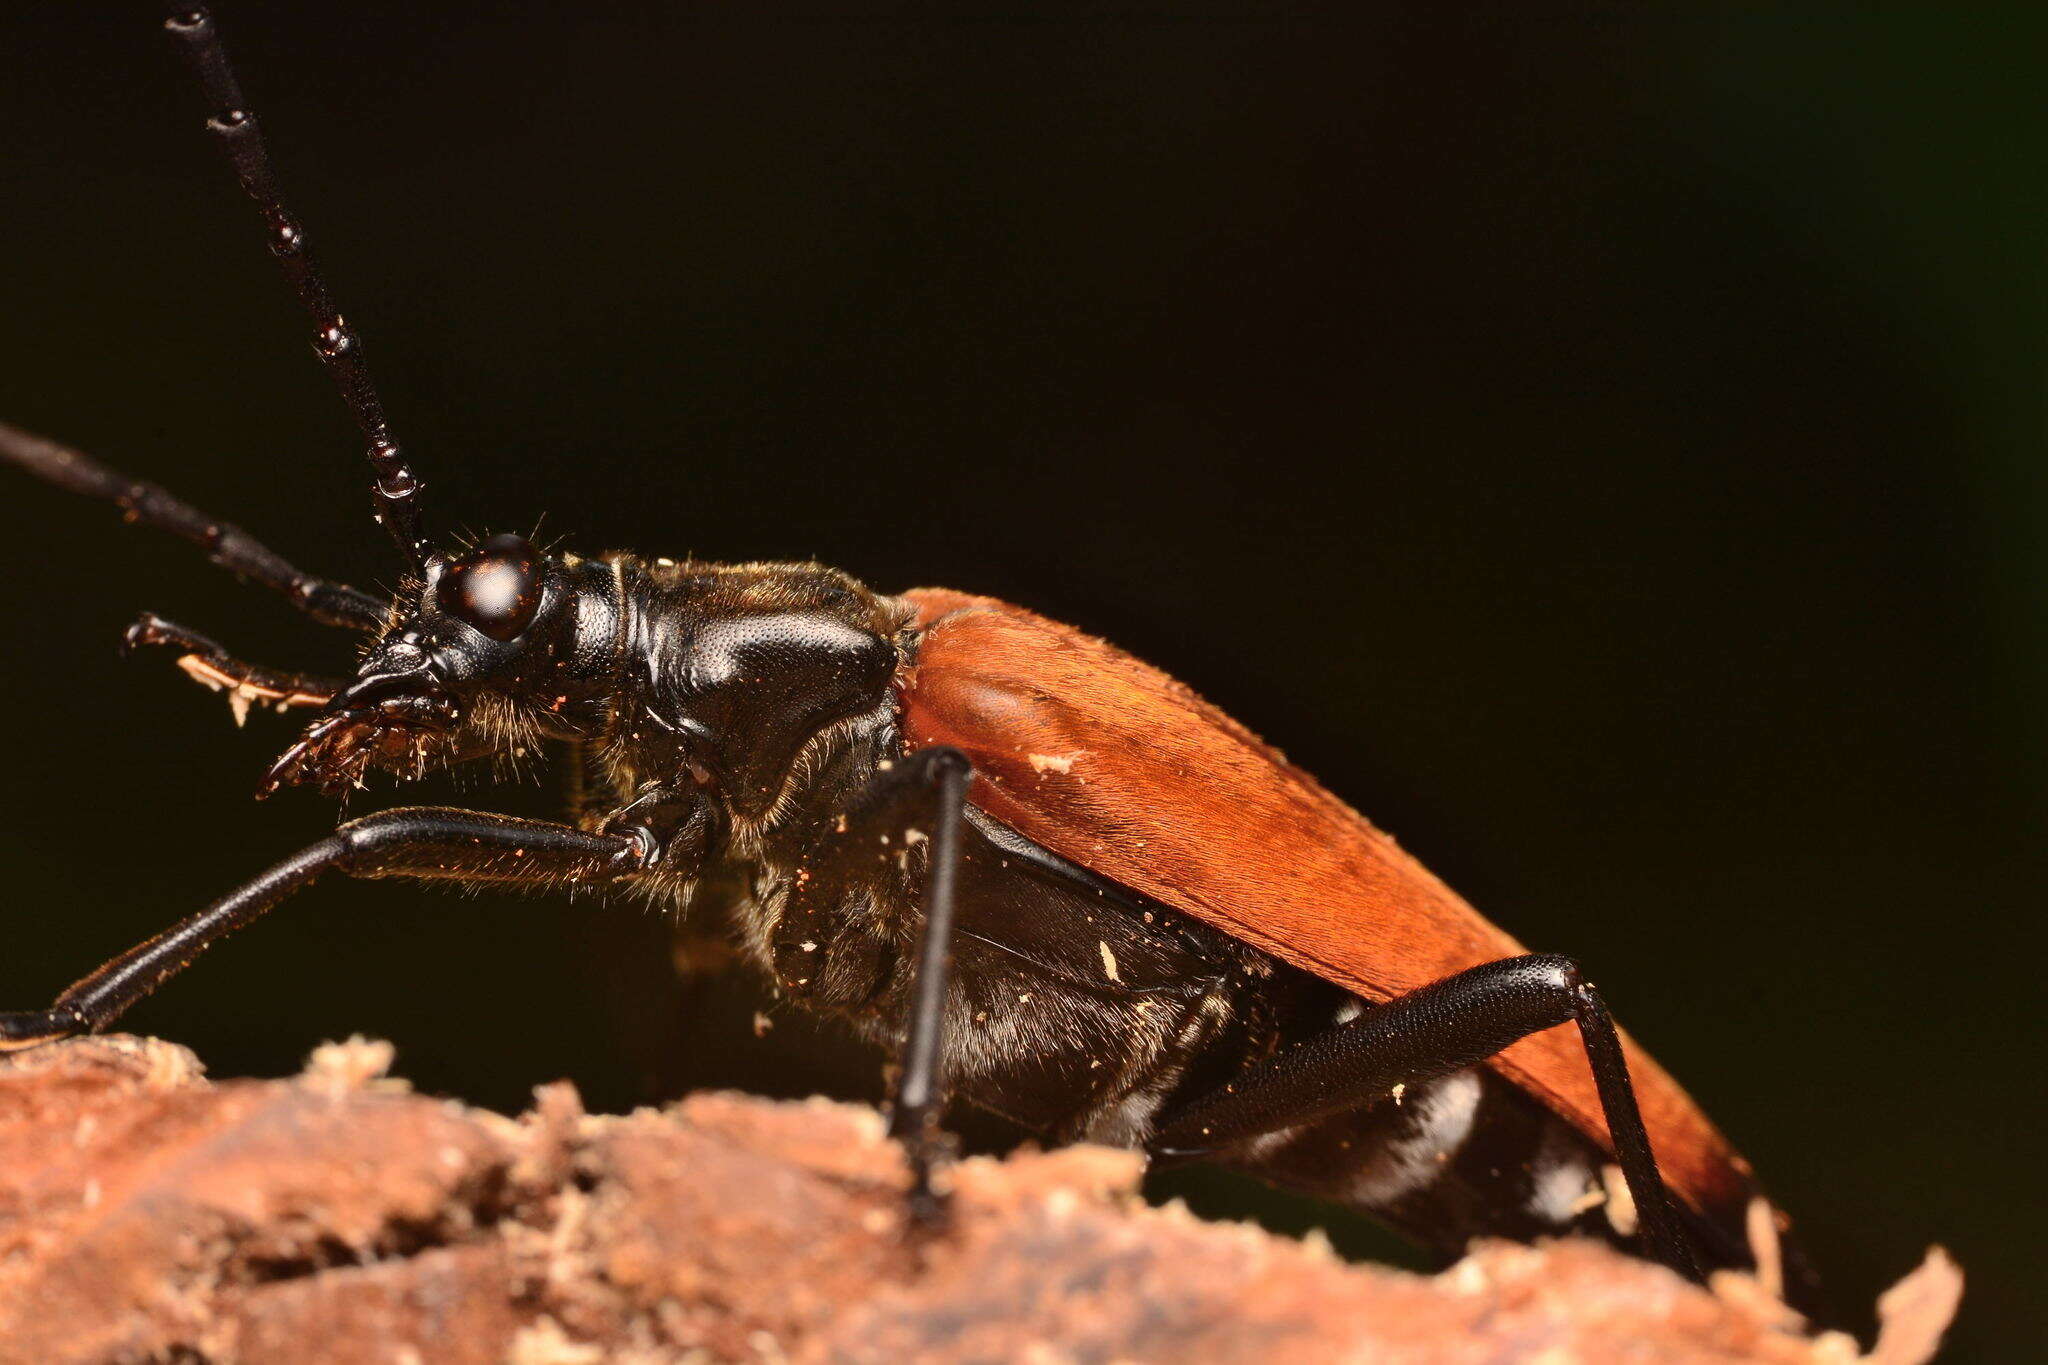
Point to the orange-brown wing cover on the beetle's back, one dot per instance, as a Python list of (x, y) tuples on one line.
[(1119, 768)]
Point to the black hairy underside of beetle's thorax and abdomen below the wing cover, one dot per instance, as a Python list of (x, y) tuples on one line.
[(1084, 1012)]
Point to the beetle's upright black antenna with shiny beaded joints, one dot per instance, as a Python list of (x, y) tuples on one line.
[(335, 343)]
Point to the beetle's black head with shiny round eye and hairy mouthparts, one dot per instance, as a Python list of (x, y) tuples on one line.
[(480, 660)]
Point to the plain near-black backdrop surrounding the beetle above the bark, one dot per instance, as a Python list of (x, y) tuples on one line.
[(1605, 449)]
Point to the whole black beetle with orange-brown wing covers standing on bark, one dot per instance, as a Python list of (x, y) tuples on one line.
[(1056, 881)]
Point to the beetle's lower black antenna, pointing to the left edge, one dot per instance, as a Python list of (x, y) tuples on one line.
[(230, 547)]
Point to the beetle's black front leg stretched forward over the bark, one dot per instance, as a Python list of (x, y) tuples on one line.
[(425, 842)]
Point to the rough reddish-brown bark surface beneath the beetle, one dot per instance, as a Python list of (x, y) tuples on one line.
[(151, 1215)]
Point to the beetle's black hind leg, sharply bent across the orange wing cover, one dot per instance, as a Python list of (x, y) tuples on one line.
[(1433, 1032)]
